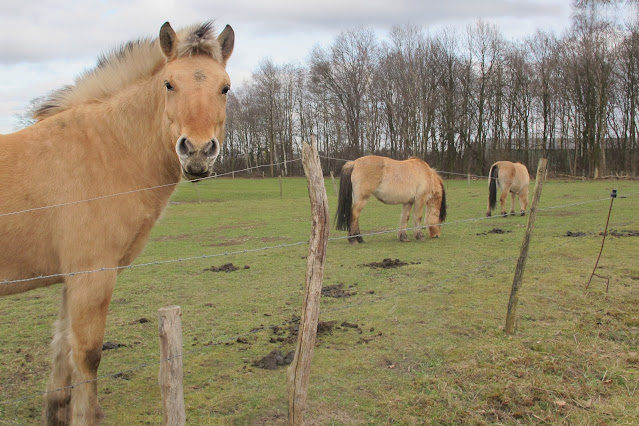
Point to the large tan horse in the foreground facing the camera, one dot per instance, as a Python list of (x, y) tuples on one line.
[(148, 113)]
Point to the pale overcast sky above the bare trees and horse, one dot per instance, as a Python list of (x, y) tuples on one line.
[(46, 43)]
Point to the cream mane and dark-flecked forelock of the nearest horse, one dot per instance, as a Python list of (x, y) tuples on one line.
[(121, 67)]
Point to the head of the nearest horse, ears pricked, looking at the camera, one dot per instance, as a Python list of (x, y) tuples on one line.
[(196, 86)]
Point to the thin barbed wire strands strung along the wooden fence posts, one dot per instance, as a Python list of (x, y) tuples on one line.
[(233, 338)]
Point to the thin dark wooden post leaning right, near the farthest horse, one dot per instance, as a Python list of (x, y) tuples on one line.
[(523, 254)]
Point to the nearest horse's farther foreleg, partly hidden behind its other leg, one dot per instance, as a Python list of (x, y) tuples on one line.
[(57, 402)]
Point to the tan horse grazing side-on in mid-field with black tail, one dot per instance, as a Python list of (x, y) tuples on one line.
[(409, 182)]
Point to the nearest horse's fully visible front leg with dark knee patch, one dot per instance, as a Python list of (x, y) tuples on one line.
[(88, 299)]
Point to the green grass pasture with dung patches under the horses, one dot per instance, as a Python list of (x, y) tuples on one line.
[(420, 343)]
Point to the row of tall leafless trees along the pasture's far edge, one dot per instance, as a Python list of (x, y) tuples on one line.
[(460, 99)]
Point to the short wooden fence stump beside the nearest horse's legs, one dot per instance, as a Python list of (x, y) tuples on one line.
[(170, 378)]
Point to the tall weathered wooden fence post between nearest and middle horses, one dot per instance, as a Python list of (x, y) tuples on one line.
[(299, 372)]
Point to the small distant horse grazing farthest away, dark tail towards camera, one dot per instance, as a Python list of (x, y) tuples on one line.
[(512, 178)]
